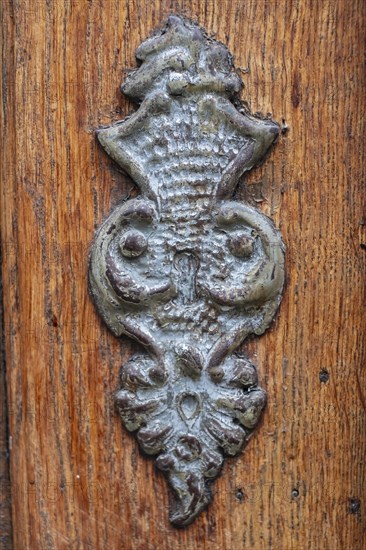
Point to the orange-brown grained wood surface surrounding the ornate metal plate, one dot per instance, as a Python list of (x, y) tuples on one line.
[(78, 480)]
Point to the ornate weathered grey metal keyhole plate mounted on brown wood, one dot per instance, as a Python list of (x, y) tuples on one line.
[(183, 269)]
